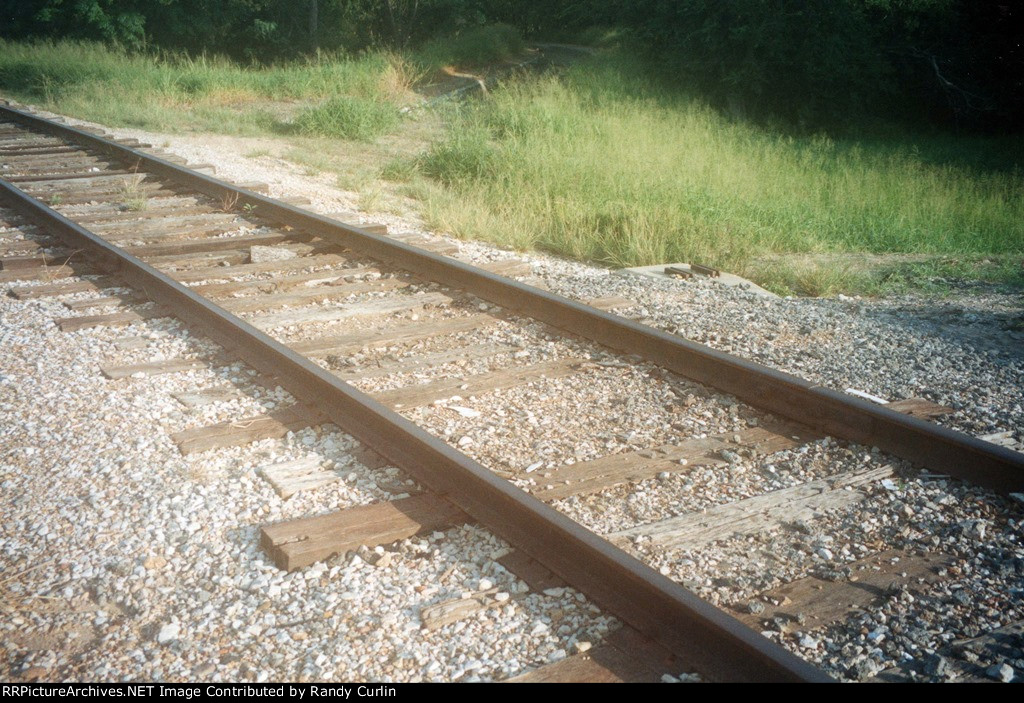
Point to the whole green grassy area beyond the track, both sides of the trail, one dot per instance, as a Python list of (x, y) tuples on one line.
[(599, 163)]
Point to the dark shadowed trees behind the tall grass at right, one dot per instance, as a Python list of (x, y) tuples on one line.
[(958, 62)]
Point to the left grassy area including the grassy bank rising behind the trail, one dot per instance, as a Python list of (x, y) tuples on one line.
[(348, 98)]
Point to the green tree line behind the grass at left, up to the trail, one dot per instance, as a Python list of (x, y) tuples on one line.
[(260, 30)]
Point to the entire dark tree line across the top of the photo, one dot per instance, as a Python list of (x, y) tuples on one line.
[(813, 62)]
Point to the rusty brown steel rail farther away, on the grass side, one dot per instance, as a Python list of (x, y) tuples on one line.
[(825, 410)]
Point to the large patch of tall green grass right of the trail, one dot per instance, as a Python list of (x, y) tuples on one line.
[(602, 165)]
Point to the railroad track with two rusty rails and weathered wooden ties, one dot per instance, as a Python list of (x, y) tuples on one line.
[(311, 303)]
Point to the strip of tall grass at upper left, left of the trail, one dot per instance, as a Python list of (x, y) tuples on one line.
[(177, 93)]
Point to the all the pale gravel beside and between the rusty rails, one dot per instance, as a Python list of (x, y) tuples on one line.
[(112, 594)]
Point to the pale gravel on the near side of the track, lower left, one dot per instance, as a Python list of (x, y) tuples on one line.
[(126, 560)]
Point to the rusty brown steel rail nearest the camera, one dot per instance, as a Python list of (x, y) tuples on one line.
[(700, 635)]
